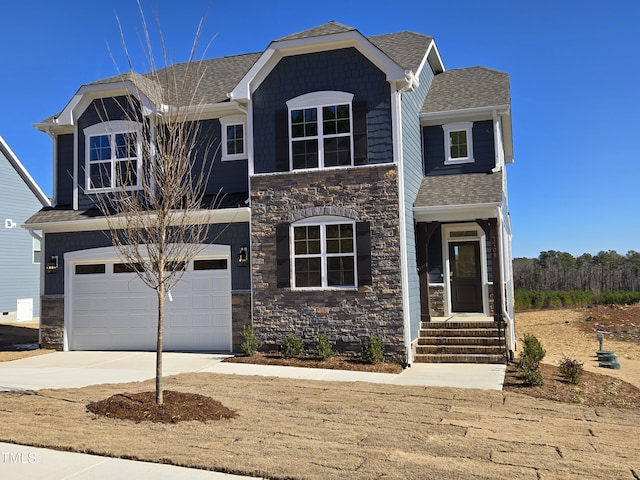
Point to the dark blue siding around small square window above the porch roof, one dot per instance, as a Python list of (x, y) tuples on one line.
[(483, 150)]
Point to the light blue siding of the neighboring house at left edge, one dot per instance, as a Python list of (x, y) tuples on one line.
[(19, 276)]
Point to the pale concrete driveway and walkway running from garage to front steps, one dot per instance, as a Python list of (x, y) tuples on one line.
[(79, 369)]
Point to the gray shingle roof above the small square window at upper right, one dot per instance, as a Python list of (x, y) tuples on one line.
[(467, 88)]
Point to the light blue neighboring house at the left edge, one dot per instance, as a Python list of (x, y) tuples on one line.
[(20, 197)]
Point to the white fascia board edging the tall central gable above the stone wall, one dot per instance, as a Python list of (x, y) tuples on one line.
[(279, 49)]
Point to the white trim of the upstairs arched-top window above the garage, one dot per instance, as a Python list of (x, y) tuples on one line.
[(112, 128)]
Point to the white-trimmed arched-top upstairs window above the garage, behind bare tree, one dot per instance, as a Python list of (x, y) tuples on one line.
[(113, 155)]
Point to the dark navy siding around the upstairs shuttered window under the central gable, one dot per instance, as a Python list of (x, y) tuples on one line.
[(344, 70)]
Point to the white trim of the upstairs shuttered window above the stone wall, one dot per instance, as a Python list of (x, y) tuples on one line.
[(318, 100)]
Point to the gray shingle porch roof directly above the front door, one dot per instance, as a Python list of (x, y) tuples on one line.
[(460, 189)]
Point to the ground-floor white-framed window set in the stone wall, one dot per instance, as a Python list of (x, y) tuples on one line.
[(324, 253)]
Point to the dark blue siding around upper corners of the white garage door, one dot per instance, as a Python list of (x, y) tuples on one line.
[(235, 234)]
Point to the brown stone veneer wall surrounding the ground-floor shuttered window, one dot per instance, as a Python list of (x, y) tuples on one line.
[(348, 317)]
